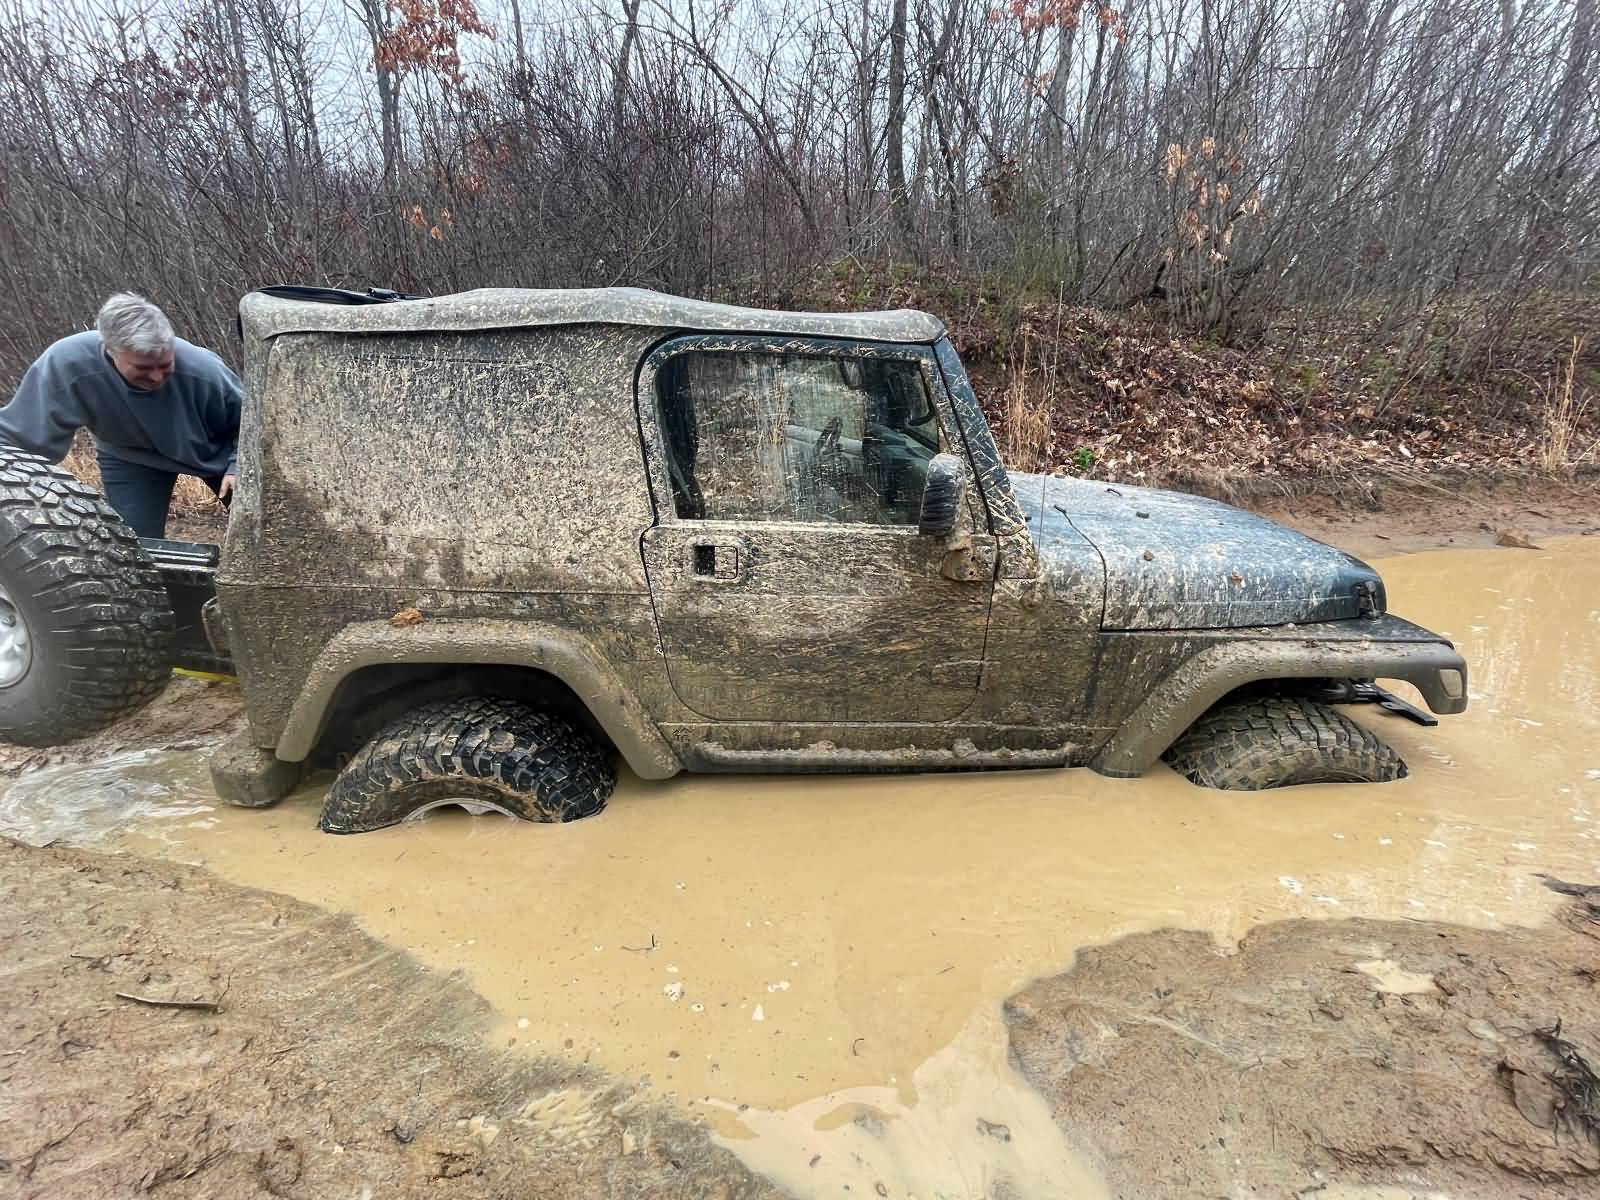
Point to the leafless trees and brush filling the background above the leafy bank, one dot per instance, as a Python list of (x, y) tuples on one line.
[(1434, 164)]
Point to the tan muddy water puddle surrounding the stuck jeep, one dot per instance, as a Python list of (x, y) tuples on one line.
[(818, 964)]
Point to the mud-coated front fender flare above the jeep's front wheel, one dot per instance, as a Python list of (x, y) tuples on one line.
[(1434, 668)]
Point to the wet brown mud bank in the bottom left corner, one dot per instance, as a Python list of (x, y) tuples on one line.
[(332, 1066)]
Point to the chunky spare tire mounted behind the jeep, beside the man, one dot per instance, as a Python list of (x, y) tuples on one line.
[(94, 607)]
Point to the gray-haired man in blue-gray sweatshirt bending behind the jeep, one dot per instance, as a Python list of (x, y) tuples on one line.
[(158, 407)]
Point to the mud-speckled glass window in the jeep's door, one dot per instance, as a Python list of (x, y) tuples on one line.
[(793, 438)]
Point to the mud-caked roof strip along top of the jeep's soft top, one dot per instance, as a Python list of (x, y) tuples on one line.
[(266, 316)]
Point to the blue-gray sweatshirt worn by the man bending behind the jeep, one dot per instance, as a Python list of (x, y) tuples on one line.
[(190, 425)]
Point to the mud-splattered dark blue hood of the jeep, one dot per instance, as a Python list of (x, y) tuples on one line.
[(1185, 562)]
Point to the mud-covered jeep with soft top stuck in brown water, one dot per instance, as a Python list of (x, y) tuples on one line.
[(486, 545)]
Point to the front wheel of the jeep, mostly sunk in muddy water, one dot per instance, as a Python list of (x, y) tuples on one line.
[(1278, 742)]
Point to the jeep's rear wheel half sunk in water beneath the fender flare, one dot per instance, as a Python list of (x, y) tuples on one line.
[(482, 754)]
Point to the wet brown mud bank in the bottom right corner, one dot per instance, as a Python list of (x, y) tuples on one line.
[(1418, 1057)]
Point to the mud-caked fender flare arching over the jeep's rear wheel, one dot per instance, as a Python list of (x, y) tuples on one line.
[(510, 644)]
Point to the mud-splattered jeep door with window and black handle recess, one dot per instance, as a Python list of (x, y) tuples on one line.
[(786, 567)]
